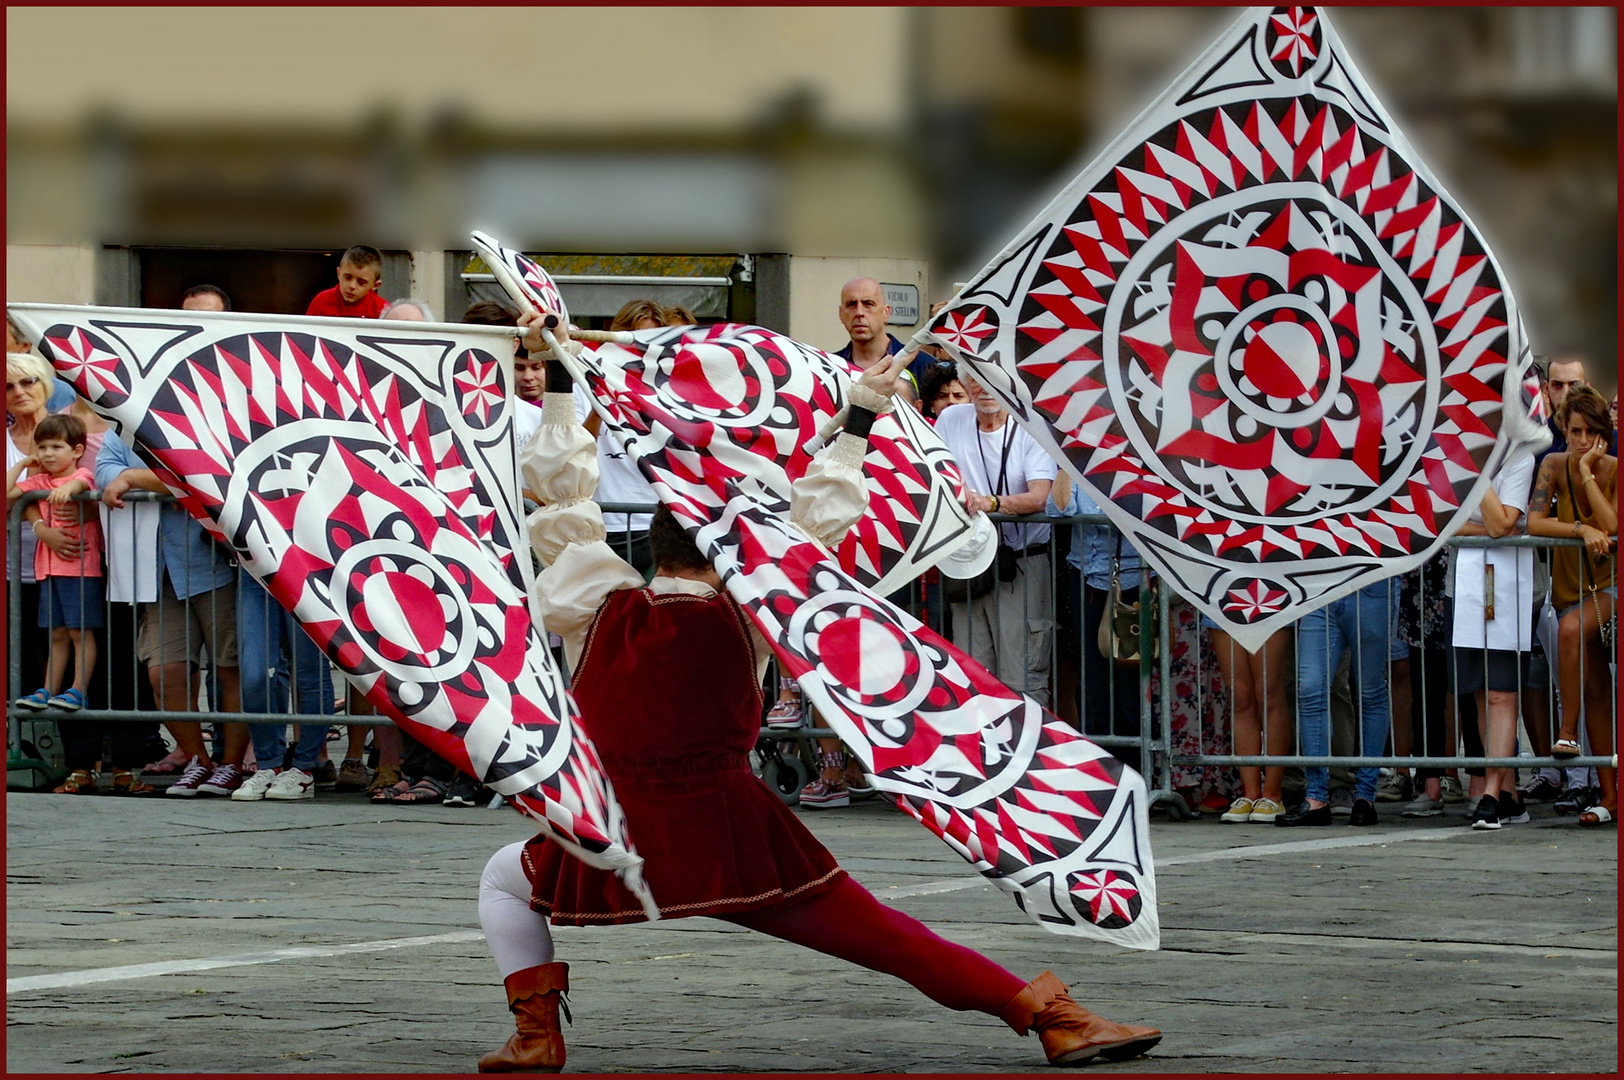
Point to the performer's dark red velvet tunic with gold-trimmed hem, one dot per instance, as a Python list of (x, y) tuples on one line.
[(670, 698)]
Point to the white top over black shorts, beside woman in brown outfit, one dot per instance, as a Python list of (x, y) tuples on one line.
[(1513, 624)]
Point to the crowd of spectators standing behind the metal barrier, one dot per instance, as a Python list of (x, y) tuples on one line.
[(1488, 650)]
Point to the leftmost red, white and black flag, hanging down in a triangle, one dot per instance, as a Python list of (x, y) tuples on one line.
[(366, 475)]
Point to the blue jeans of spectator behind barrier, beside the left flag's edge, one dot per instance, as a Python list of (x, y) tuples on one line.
[(267, 634)]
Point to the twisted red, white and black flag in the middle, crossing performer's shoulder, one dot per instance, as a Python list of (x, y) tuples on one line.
[(719, 420)]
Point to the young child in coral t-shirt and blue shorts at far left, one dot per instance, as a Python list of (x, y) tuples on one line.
[(71, 595)]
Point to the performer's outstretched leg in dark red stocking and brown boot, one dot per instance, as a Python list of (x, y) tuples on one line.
[(850, 923)]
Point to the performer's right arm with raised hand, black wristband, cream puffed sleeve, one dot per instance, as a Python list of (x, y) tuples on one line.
[(829, 499)]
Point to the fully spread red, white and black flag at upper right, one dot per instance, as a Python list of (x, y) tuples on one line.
[(1261, 334)]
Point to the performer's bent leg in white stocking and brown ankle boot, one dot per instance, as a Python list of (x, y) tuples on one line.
[(522, 946)]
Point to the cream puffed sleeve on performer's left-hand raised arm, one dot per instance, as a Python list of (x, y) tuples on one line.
[(568, 532)]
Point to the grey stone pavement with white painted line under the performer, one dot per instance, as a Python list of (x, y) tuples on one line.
[(335, 936)]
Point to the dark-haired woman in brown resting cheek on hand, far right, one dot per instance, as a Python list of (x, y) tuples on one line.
[(1576, 496)]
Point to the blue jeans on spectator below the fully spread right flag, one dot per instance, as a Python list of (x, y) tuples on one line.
[(1367, 624)]
